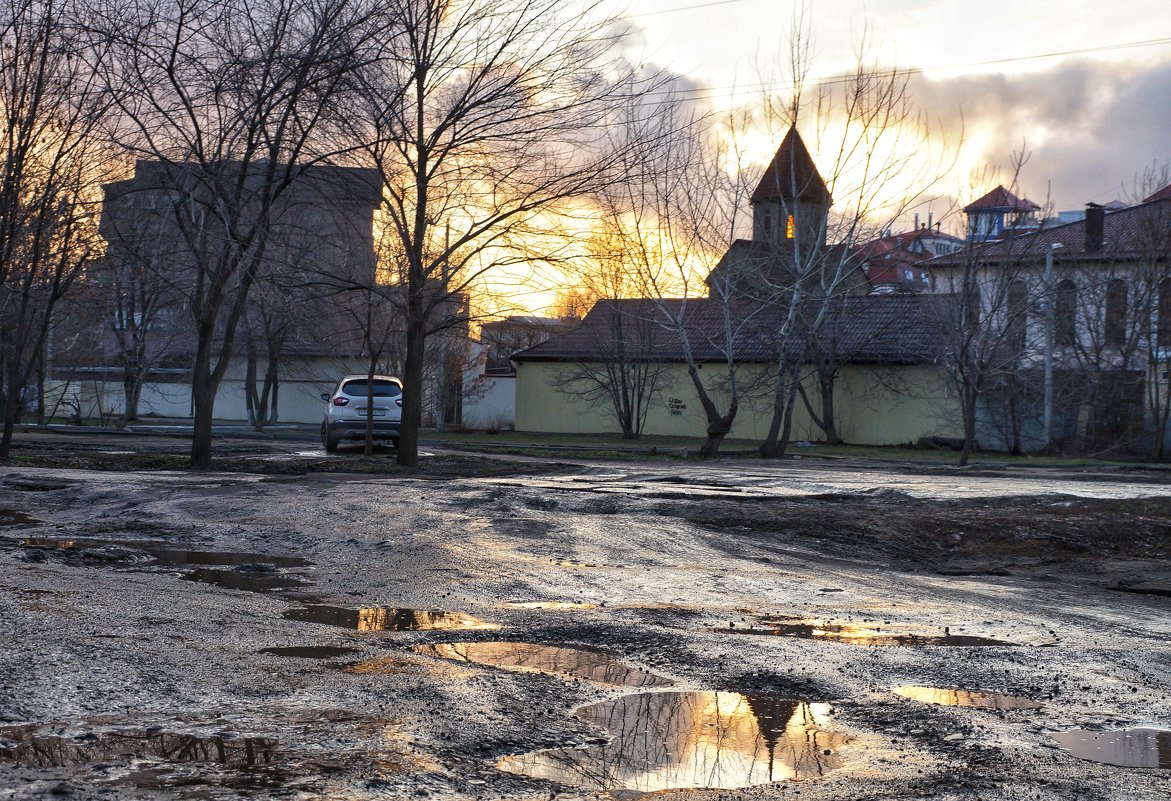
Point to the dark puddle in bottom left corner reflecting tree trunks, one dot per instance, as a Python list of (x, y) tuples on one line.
[(25, 747)]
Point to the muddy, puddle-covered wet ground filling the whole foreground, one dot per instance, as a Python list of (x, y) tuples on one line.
[(297, 628)]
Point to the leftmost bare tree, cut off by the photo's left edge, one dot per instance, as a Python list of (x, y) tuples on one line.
[(50, 160)]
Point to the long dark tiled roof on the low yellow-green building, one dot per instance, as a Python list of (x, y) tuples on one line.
[(862, 330)]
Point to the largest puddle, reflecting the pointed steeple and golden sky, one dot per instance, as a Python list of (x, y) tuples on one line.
[(669, 741)]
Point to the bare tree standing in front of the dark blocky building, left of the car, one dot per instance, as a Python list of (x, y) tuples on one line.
[(230, 101)]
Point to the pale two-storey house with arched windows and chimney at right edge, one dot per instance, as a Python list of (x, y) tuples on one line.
[(1087, 309)]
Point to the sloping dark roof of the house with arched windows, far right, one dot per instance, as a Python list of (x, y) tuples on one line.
[(1131, 234)]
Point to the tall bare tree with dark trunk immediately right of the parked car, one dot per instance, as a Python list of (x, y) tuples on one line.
[(484, 115)]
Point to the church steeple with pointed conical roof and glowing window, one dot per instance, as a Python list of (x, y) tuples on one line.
[(791, 202)]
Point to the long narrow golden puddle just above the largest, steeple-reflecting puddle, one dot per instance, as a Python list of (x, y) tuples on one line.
[(594, 666)]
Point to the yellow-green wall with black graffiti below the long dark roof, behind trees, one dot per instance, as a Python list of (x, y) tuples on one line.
[(892, 406)]
